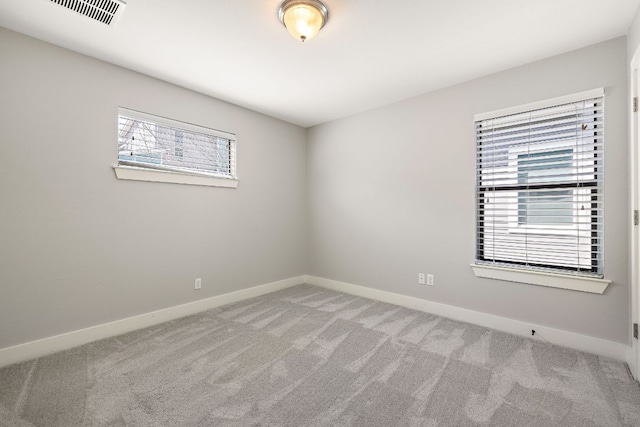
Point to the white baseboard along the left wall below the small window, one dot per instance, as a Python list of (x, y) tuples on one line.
[(34, 349)]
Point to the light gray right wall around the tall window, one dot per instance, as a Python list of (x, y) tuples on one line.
[(391, 194)]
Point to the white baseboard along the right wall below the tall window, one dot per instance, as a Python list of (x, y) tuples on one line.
[(560, 337)]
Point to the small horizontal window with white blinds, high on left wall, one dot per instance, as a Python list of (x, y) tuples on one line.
[(154, 142)]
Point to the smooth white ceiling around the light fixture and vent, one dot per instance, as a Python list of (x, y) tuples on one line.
[(370, 53)]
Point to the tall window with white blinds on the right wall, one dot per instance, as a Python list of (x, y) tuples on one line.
[(539, 187)]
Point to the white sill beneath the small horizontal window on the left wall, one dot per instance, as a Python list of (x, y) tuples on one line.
[(154, 175)]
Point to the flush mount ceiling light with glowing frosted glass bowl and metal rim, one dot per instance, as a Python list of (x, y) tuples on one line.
[(303, 18)]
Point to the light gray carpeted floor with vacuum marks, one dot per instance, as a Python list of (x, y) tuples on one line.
[(307, 356)]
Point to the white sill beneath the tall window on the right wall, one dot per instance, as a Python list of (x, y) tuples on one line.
[(574, 283)]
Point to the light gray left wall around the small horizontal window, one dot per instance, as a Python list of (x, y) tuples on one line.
[(73, 252)]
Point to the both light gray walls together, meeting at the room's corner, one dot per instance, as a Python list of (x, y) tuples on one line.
[(390, 193)]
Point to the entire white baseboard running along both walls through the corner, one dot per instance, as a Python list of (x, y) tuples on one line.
[(34, 349)]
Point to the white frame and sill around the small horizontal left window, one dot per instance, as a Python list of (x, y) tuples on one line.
[(138, 171)]
